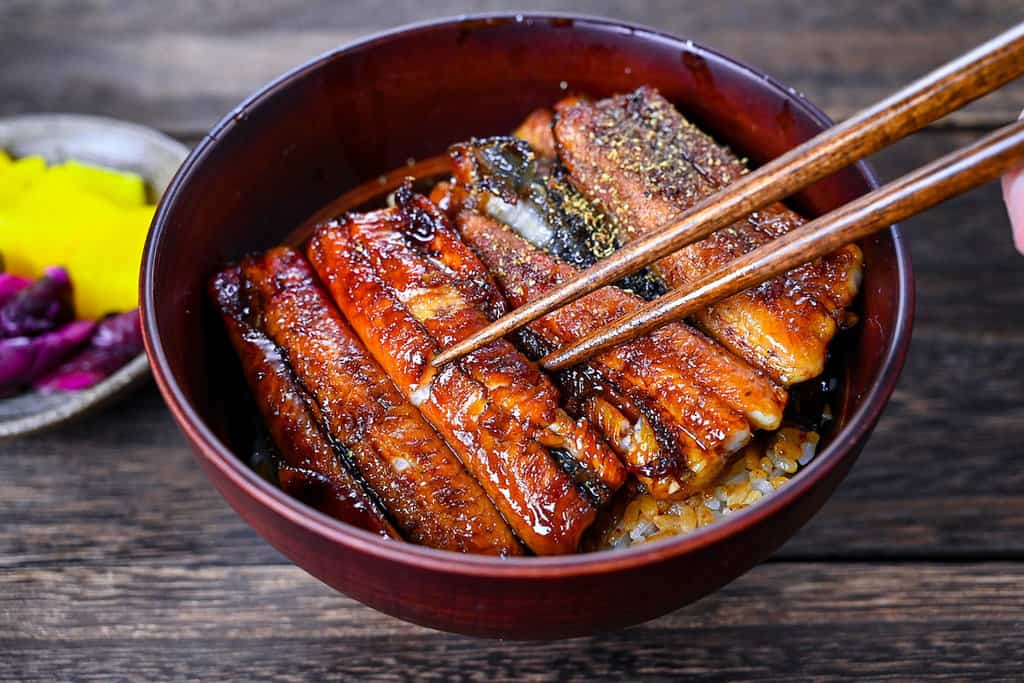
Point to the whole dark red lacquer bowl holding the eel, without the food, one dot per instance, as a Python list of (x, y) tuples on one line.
[(364, 110)]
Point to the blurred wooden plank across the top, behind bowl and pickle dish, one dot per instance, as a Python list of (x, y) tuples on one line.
[(183, 70)]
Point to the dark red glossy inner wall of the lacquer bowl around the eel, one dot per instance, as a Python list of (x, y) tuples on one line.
[(351, 116)]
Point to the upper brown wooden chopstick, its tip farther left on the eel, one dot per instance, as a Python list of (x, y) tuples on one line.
[(962, 81)]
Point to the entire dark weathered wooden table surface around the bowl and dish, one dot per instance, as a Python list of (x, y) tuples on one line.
[(118, 560)]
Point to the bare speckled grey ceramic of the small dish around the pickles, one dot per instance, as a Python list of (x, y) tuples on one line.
[(59, 138)]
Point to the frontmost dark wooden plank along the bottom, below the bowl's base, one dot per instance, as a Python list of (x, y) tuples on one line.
[(781, 622)]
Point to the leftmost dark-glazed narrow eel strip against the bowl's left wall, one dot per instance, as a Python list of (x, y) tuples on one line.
[(308, 463)]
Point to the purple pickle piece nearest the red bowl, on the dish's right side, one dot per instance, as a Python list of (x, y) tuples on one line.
[(117, 340)]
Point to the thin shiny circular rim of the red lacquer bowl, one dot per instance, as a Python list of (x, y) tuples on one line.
[(215, 452)]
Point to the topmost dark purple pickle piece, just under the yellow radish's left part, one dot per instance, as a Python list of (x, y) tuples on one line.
[(42, 307)]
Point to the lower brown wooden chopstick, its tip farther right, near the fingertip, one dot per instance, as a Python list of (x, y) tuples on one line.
[(910, 195)]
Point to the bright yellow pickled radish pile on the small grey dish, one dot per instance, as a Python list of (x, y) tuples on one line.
[(91, 221)]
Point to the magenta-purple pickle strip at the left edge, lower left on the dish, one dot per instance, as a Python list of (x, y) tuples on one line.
[(24, 360)]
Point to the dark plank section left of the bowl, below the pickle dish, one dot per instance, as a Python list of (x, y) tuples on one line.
[(120, 486)]
